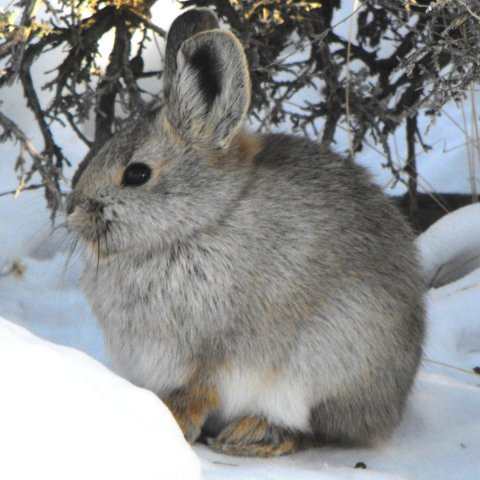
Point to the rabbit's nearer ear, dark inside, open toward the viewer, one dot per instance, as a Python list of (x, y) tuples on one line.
[(210, 93)]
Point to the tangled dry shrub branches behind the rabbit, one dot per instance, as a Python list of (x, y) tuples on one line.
[(370, 73)]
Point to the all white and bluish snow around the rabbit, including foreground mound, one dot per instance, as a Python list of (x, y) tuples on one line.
[(64, 414)]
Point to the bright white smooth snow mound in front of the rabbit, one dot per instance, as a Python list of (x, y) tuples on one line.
[(65, 416)]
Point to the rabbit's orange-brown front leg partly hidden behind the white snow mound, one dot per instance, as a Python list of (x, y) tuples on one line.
[(191, 407)]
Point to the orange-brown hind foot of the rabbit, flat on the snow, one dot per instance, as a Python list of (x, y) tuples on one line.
[(254, 437)]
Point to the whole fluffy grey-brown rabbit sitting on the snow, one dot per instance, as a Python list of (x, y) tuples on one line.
[(261, 285)]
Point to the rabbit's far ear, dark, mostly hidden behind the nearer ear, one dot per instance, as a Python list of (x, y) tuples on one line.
[(184, 27)]
